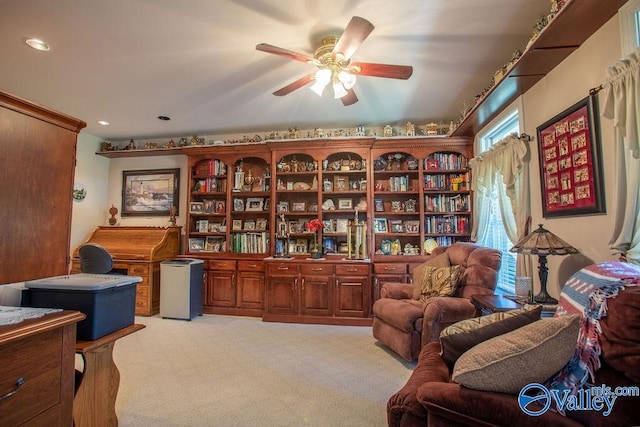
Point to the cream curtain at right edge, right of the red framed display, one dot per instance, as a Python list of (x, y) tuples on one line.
[(621, 103)]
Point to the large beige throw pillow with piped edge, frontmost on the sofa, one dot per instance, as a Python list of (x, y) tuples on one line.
[(530, 354)]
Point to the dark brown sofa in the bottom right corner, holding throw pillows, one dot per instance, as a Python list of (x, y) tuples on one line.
[(430, 396)]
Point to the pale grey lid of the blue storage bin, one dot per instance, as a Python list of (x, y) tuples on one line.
[(83, 282)]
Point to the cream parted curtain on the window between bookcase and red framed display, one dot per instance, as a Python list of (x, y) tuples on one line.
[(503, 169)]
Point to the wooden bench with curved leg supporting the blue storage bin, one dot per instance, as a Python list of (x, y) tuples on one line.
[(97, 386)]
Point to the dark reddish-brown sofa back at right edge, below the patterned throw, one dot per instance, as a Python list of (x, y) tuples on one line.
[(620, 338)]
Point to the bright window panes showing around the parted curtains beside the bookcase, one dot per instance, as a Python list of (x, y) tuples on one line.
[(495, 237)]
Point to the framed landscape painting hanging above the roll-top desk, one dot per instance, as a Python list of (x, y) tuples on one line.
[(151, 192)]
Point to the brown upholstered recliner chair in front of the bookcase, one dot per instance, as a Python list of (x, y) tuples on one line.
[(405, 324)]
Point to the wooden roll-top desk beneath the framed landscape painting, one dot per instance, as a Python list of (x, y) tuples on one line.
[(138, 251)]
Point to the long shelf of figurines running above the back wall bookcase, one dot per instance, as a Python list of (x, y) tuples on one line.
[(194, 144)]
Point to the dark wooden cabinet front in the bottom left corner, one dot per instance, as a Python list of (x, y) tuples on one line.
[(37, 361)]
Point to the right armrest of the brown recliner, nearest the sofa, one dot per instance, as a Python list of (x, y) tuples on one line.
[(440, 312)]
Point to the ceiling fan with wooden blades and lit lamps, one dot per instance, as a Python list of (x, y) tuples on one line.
[(333, 60)]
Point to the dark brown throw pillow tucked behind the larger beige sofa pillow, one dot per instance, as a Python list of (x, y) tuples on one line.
[(461, 336)]
